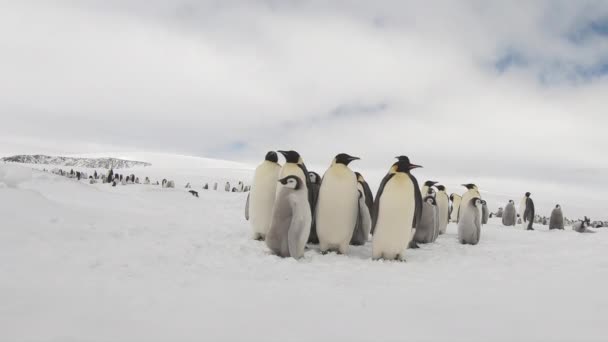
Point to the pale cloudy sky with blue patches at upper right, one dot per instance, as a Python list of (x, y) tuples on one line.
[(479, 88)]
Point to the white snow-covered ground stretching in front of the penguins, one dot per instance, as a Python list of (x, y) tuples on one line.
[(87, 262)]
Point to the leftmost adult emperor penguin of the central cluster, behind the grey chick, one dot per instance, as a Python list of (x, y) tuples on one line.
[(261, 198)]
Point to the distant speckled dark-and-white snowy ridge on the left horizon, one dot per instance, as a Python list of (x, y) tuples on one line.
[(104, 163)]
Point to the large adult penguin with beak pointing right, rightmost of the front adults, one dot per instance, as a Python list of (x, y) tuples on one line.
[(396, 212)]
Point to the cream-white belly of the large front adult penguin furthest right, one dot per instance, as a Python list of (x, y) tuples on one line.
[(395, 217)]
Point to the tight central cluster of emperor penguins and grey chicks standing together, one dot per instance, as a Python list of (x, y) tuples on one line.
[(289, 206)]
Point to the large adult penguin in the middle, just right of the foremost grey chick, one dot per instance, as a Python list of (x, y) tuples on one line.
[(337, 206)]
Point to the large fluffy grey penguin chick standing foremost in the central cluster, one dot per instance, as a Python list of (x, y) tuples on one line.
[(291, 218)]
